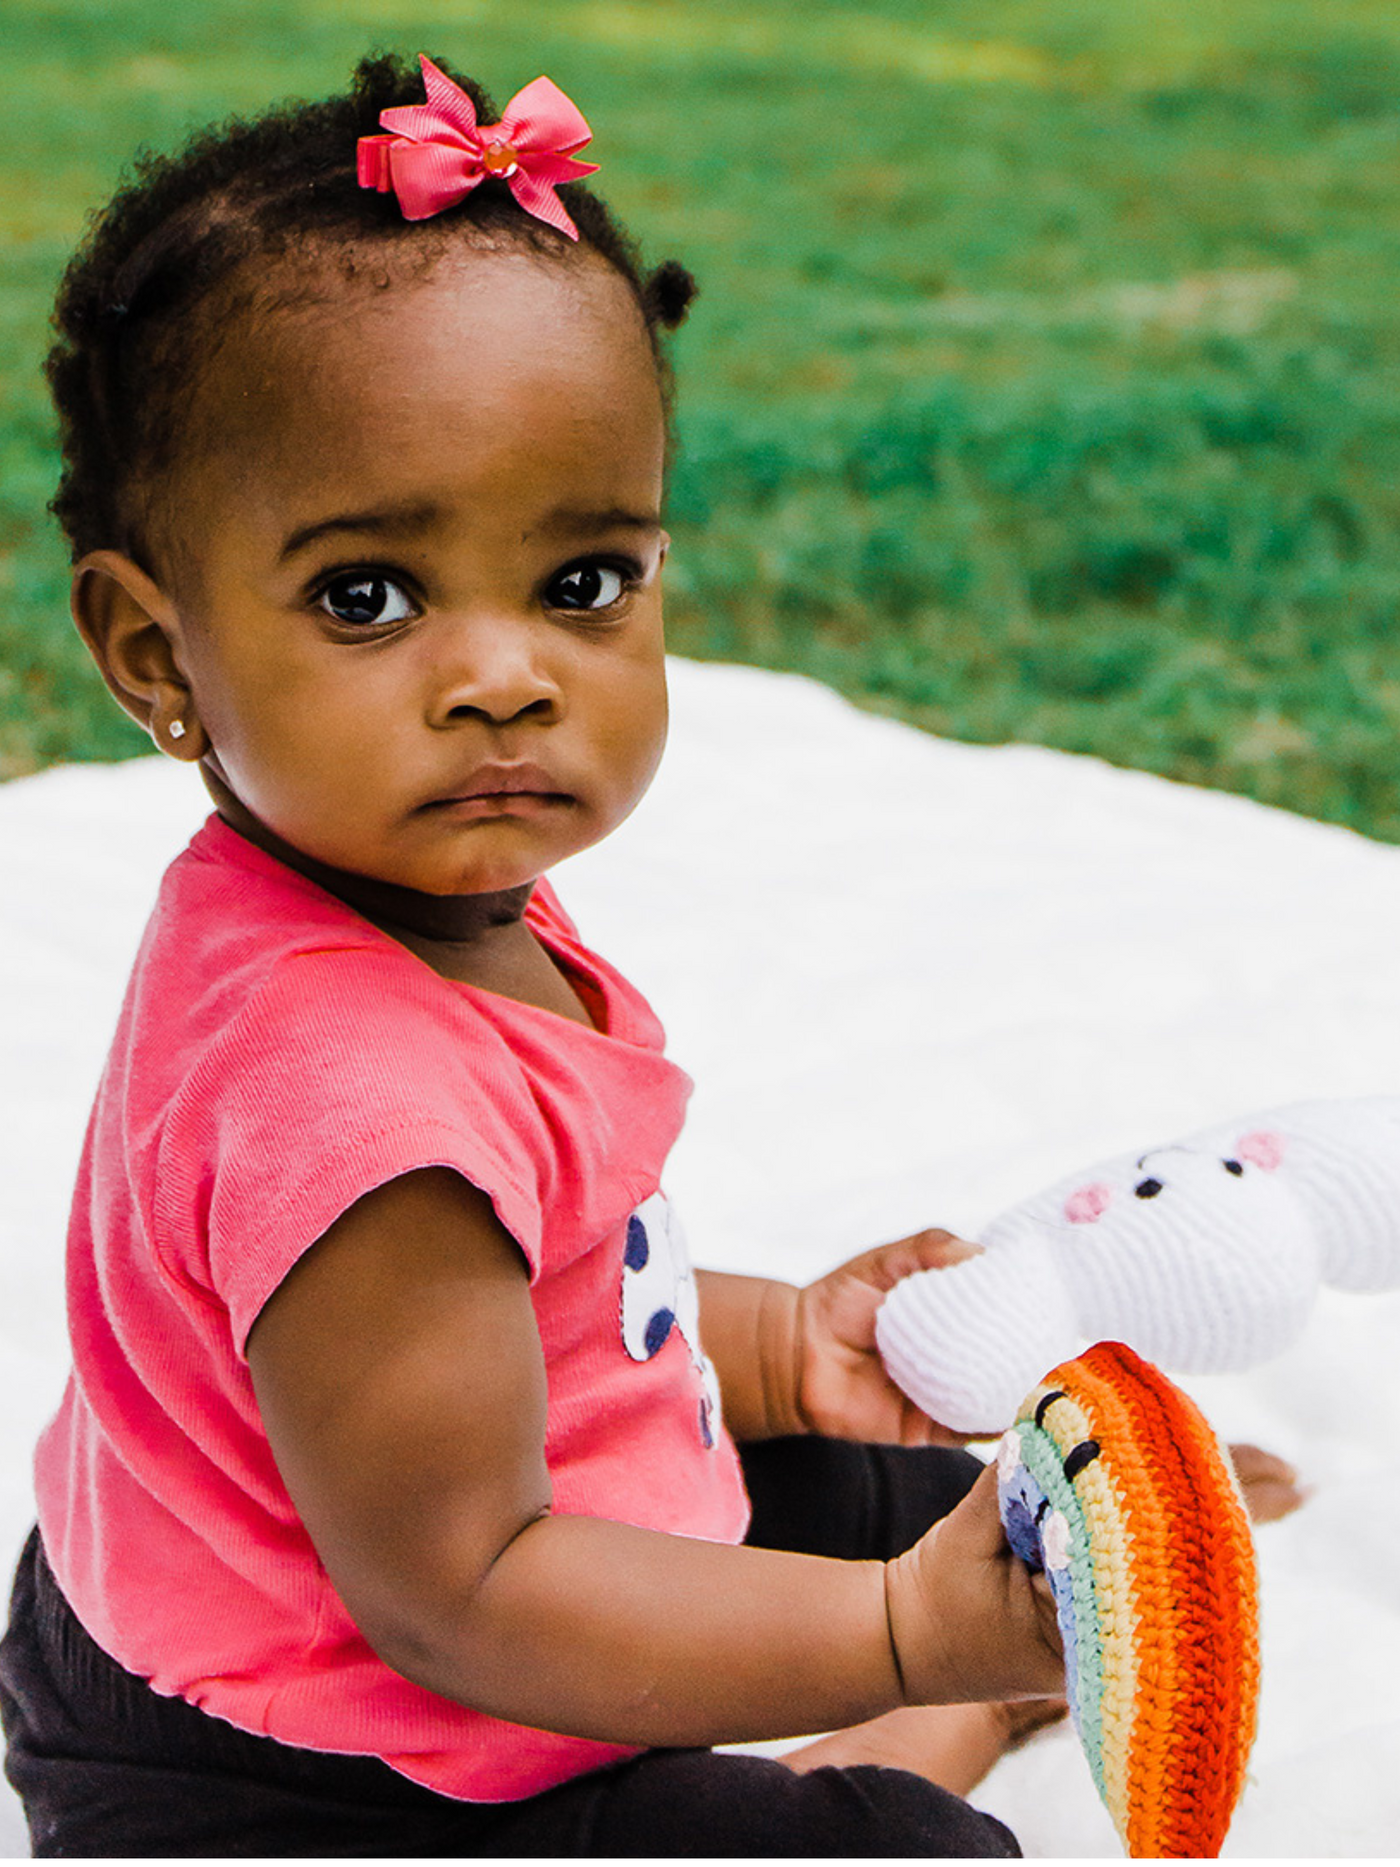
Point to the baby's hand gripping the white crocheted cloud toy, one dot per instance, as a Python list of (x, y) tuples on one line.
[(843, 1388)]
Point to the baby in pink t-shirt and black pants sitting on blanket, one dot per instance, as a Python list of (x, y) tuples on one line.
[(412, 1496)]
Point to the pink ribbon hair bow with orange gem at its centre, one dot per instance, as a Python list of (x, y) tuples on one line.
[(438, 154)]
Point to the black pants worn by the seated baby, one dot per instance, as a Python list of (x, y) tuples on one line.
[(107, 1767)]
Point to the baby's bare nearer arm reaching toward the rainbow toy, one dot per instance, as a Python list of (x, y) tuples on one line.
[(402, 1386)]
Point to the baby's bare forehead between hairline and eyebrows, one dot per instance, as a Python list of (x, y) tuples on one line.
[(490, 376)]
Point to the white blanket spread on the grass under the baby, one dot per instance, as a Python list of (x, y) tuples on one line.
[(914, 983)]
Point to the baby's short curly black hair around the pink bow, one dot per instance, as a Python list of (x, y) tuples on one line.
[(137, 305)]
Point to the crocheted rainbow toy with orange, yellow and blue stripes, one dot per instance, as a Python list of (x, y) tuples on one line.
[(1113, 1483)]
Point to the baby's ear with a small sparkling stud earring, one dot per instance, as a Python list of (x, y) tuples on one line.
[(132, 630)]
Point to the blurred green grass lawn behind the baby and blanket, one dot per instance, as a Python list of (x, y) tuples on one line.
[(1044, 384)]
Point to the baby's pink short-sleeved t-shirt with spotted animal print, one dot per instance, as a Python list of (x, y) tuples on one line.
[(279, 1058)]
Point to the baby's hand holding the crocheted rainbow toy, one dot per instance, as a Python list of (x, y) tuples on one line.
[(968, 1618)]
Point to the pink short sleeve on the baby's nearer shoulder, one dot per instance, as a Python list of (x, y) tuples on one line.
[(344, 1071)]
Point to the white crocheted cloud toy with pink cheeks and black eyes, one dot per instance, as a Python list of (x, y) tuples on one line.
[(1203, 1256)]
